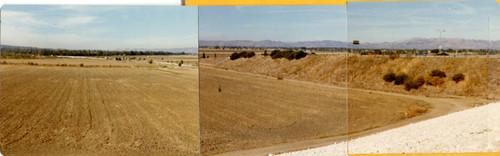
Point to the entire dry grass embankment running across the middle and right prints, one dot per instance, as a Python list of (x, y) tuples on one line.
[(366, 72)]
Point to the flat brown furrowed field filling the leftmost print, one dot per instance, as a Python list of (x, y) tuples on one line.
[(59, 110)]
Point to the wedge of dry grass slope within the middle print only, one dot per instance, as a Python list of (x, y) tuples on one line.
[(320, 69)]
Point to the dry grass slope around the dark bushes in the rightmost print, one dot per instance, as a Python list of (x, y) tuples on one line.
[(367, 72)]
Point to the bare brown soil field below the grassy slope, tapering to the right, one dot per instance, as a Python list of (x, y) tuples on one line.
[(254, 111)]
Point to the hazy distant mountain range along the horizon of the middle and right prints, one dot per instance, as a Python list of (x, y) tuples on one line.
[(414, 43)]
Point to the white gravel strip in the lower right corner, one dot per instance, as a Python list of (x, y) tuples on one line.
[(472, 130)]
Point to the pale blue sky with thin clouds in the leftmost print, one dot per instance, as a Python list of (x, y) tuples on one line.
[(100, 27)]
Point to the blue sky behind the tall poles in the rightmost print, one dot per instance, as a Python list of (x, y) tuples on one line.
[(392, 21)]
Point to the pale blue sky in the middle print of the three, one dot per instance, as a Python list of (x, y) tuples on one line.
[(279, 23)]
